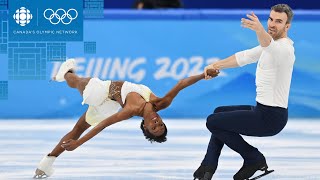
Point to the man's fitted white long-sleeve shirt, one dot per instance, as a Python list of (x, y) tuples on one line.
[(274, 70)]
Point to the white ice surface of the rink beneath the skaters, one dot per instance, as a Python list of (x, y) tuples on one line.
[(120, 152)]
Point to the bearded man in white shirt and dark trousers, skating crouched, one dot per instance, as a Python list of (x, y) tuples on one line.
[(275, 57)]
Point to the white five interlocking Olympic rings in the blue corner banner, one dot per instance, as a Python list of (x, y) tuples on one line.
[(60, 15)]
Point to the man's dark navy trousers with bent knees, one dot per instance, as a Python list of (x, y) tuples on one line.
[(228, 122)]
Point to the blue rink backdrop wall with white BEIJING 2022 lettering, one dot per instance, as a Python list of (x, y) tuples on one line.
[(159, 48)]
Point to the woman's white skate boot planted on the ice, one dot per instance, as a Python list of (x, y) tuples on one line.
[(44, 168)]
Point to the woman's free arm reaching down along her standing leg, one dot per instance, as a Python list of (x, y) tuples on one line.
[(71, 144)]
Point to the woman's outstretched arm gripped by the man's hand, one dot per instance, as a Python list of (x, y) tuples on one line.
[(162, 103)]
